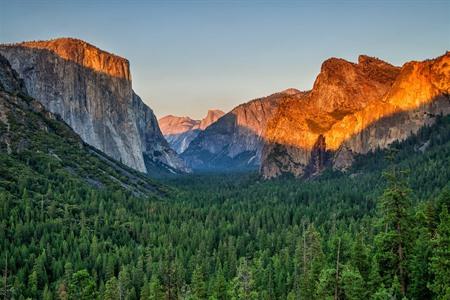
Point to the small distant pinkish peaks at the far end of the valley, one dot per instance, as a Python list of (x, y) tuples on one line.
[(180, 131)]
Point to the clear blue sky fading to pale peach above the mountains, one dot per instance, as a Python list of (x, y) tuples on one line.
[(190, 56)]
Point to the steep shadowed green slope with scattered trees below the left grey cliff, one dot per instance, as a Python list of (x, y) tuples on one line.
[(37, 146)]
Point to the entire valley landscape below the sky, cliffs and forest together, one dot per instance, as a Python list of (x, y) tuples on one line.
[(339, 192)]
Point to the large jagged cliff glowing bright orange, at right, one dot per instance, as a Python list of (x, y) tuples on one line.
[(353, 109)]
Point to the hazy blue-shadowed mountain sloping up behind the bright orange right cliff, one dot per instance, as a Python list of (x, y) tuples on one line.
[(236, 140)]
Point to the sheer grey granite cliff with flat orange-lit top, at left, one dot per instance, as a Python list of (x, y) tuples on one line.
[(91, 90)]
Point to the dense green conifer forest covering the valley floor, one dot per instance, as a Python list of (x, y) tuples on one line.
[(379, 231)]
